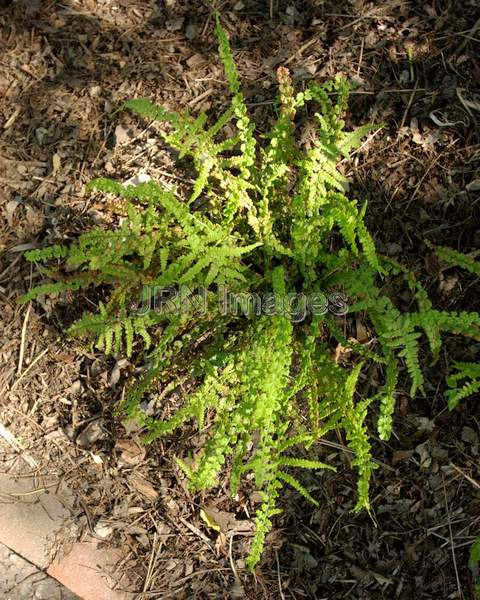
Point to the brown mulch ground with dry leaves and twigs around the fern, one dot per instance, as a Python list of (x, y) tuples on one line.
[(63, 67)]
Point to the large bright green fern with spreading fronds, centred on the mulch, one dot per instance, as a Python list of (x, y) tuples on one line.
[(275, 223)]
